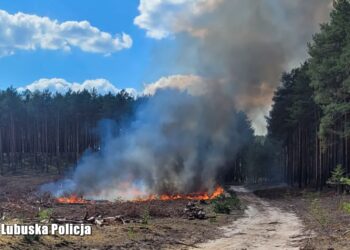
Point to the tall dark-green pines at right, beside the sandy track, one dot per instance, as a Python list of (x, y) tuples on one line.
[(310, 117)]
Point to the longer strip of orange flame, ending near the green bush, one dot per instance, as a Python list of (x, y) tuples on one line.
[(194, 196)]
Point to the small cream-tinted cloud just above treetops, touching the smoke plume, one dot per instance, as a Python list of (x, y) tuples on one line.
[(193, 84)]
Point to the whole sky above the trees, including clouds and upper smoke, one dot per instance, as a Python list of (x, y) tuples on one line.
[(111, 45)]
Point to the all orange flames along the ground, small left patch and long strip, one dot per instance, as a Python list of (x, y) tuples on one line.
[(74, 199)]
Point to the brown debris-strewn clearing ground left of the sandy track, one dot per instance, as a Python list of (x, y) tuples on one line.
[(149, 225)]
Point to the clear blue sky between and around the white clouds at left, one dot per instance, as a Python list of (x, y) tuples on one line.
[(126, 68)]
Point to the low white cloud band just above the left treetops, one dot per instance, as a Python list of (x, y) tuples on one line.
[(59, 85)]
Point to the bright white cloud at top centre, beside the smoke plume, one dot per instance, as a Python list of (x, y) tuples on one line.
[(162, 18)]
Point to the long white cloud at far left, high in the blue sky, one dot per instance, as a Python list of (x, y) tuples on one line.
[(22, 31)]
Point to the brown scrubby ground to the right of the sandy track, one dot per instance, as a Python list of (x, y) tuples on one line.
[(326, 221)]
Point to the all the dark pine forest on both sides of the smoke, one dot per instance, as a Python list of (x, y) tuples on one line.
[(308, 125)]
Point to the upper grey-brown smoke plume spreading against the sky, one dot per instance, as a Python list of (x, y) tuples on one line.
[(248, 44)]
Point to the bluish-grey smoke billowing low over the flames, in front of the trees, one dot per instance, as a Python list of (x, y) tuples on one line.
[(176, 144)]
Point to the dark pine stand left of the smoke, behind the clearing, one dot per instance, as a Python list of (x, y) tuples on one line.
[(41, 130)]
